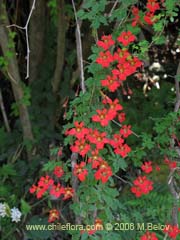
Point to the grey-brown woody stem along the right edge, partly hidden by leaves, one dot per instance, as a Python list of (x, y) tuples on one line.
[(171, 183)]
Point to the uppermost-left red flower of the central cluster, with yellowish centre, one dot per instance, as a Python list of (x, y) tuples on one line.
[(79, 131)]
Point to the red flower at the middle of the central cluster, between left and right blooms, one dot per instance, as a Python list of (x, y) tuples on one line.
[(97, 138)]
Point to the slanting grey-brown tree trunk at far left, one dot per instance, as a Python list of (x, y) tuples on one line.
[(14, 75)]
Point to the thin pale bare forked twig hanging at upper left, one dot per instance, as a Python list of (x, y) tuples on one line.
[(27, 37)]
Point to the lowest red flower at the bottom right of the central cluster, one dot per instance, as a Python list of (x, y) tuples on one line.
[(104, 172)]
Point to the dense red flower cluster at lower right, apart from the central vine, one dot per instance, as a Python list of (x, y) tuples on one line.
[(141, 186)]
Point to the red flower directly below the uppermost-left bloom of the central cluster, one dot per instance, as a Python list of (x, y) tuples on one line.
[(80, 147)]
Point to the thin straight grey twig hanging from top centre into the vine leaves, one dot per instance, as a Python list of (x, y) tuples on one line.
[(79, 48)]
